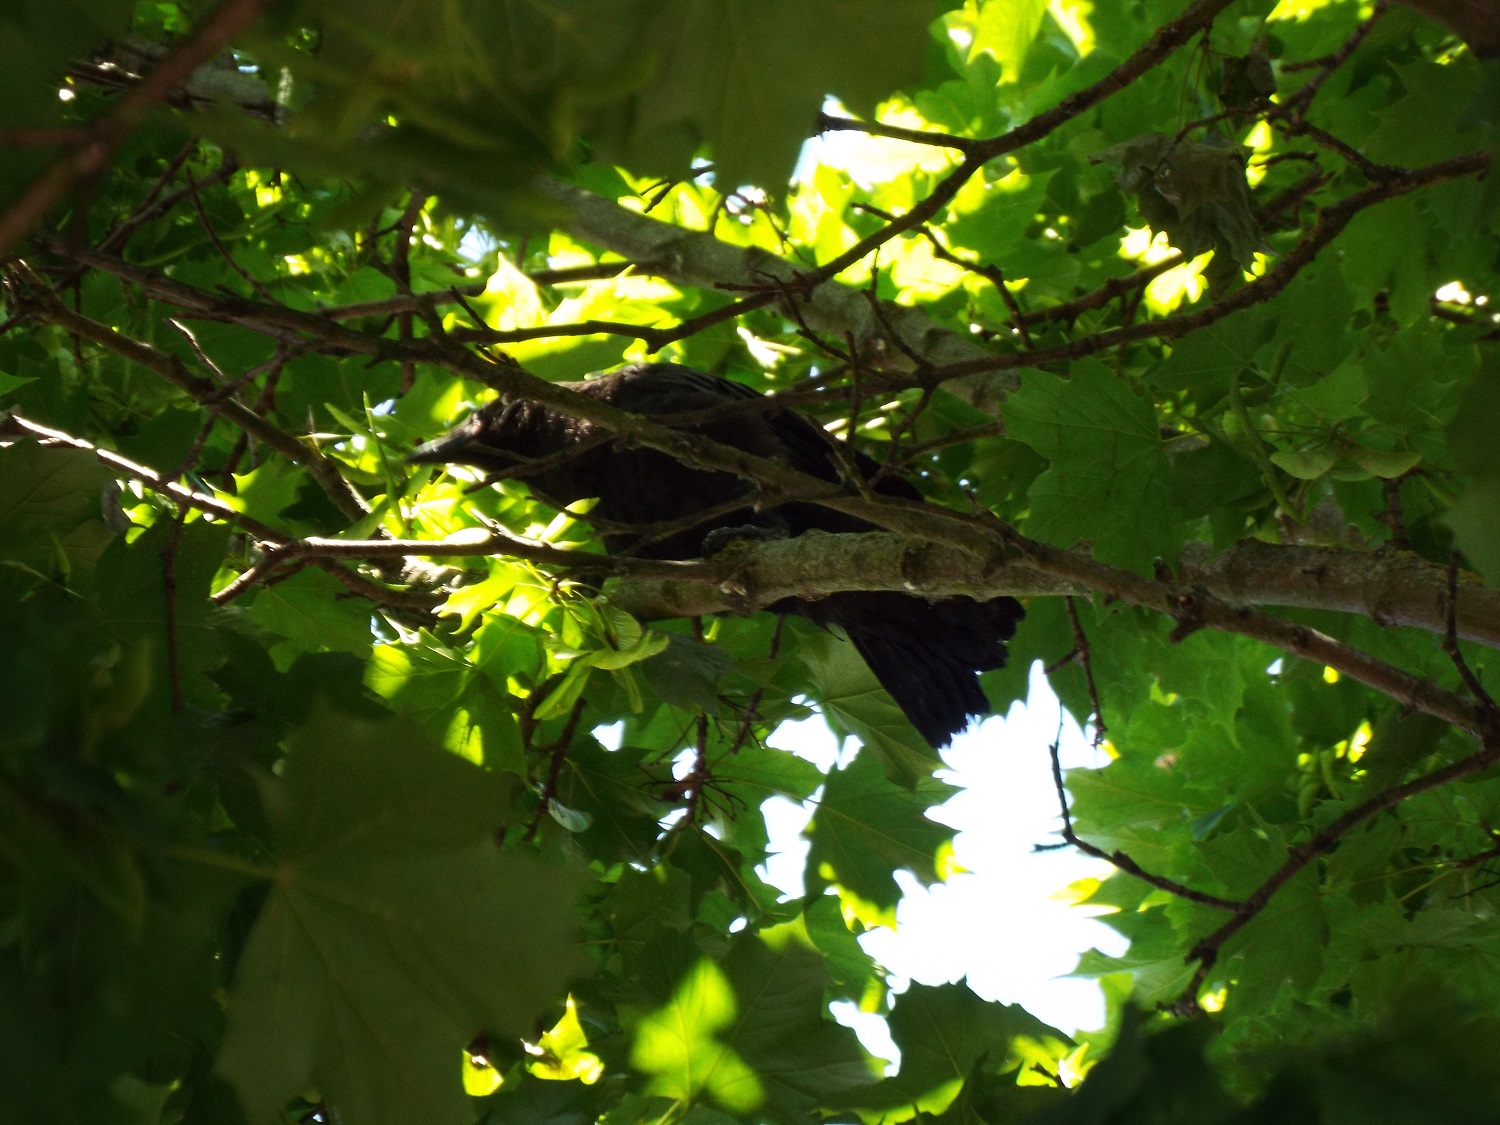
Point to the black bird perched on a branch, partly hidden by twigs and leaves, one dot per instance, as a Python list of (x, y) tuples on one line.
[(928, 655)]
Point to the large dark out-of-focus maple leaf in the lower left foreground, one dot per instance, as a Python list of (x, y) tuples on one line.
[(394, 932)]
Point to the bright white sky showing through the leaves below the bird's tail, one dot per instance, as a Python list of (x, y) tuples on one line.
[(1003, 925)]
